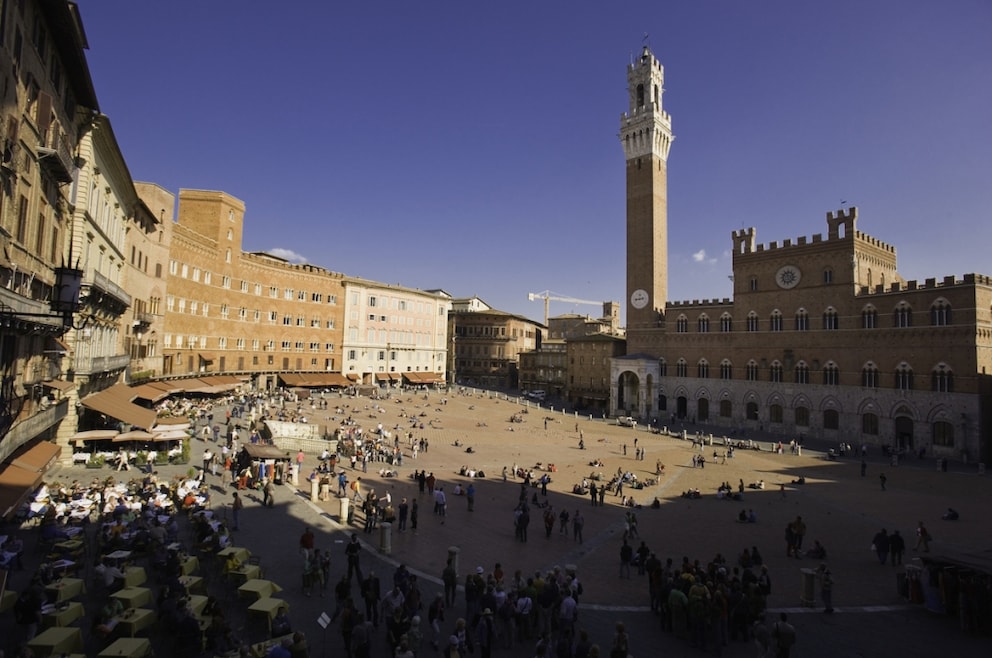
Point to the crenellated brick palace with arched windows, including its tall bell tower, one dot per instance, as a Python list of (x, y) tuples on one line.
[(823, 337)]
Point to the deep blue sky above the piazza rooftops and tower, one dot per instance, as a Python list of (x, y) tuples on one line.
[(472, 146)]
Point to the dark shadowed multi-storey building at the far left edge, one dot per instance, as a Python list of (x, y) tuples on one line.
[(47, 105)]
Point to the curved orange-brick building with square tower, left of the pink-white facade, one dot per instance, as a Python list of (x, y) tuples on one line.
[(229, 311)]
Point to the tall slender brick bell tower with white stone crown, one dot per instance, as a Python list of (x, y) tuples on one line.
[(646, 135)]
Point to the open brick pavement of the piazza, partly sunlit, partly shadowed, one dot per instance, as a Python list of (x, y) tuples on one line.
[(841, 508)]
